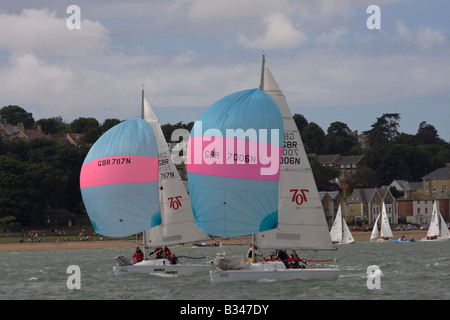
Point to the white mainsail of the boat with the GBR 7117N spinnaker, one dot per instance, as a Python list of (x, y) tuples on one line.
[(178, 225)]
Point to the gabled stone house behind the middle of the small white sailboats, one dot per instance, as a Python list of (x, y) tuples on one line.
[(366, 204)]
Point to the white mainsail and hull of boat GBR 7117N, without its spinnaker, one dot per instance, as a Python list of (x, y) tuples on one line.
[(177, 221)]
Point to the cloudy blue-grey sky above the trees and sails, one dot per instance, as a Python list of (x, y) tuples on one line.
[(187, 54)]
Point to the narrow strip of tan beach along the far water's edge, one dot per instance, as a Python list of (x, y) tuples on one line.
[(121, 244)]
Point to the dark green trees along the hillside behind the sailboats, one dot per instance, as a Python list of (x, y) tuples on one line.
[(42, 174)]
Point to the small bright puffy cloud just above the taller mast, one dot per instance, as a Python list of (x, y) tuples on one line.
[(279, 33)]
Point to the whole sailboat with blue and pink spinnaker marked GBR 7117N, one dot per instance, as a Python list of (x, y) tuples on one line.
[(130, 185)]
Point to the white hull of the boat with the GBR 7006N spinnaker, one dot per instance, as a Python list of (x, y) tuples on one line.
[(274, 272)]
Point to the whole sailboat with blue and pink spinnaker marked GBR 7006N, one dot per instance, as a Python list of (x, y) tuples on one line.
[(283, 211)]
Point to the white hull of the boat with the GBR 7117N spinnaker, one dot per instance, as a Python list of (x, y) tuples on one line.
[(161, 267)]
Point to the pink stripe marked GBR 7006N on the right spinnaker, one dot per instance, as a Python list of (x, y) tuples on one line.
[(222, 157)]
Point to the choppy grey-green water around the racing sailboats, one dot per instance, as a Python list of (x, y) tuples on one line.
[(410, 271)]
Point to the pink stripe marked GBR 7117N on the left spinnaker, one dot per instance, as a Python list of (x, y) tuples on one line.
[(119, 170)]
